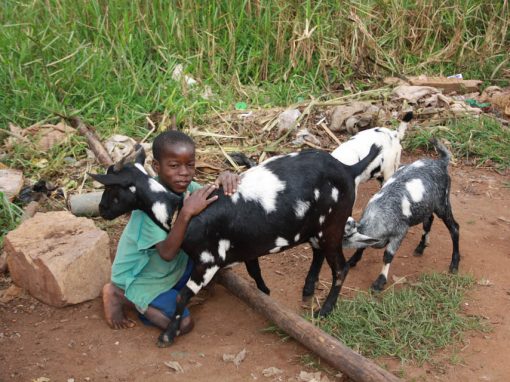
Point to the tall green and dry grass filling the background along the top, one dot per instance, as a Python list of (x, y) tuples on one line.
[(112, 61)]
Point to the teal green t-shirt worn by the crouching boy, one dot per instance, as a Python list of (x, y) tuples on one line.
[(138, 269)]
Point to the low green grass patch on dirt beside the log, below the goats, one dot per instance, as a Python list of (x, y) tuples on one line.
[(410, 323)]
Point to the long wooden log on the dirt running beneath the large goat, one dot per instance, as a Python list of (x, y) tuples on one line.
[(328, 348)]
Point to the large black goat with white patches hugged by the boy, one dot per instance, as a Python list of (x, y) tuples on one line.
[(281, 203)]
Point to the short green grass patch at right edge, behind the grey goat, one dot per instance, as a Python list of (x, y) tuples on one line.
[(483, 140)]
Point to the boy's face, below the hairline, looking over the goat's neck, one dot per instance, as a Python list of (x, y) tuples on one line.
[(176, 167)]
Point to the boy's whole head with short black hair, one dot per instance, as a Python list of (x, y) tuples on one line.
[(174, 159)]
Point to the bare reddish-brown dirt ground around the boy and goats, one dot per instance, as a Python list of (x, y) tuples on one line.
[(75, 343)]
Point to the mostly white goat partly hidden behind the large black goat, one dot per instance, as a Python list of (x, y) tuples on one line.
[(388, 160)]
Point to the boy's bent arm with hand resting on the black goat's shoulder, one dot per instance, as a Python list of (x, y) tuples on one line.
[(193, 205)]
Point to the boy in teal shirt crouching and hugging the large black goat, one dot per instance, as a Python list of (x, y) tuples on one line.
[(149, 268)]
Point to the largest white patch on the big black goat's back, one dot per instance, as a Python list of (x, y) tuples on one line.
[(259, 184)]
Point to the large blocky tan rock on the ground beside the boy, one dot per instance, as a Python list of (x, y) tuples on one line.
[(59, 258)]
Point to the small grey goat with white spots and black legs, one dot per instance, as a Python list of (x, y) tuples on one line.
[(410, 197)]
